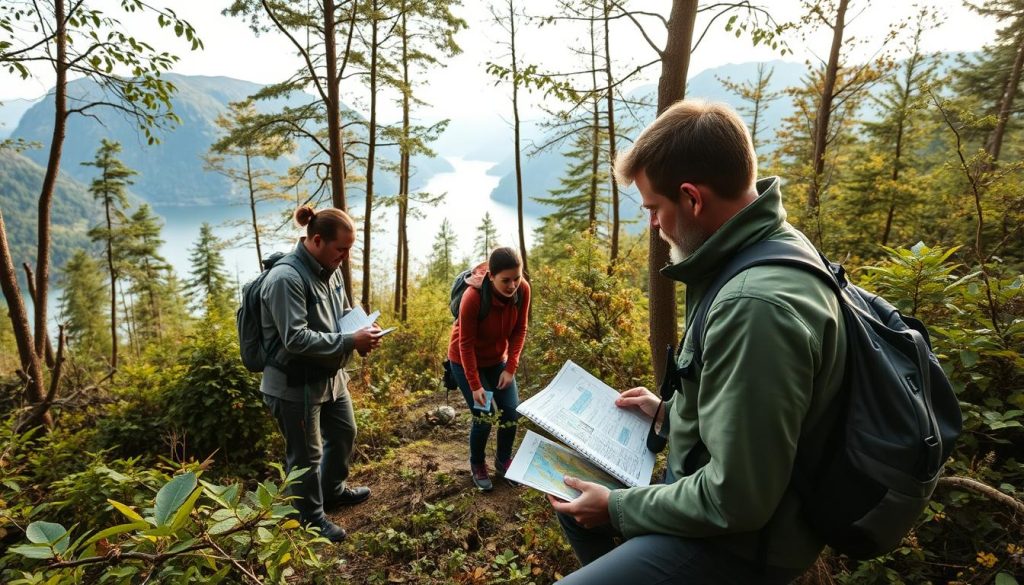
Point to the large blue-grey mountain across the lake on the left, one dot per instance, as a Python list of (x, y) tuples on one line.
[(172, 173)]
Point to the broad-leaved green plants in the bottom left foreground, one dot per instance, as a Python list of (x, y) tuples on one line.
[(190, 532)]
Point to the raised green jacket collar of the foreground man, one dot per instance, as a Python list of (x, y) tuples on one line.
[(753, 224)]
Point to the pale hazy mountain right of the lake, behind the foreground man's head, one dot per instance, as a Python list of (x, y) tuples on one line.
[(541, 174)]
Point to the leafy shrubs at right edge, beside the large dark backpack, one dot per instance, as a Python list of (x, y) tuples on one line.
[(978, 335)]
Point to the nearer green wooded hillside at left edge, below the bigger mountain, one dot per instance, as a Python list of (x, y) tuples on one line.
[(73, 214)]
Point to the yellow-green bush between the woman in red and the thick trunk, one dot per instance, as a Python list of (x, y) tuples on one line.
[(591, 315)]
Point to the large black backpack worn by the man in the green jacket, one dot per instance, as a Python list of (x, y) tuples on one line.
[(893, 425)]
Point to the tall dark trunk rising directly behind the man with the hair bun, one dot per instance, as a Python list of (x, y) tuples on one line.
[(336, 141)]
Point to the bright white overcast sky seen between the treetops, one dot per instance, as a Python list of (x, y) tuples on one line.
[(464, 90)]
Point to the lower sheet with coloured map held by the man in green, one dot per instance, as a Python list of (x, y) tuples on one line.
[(543, 465)]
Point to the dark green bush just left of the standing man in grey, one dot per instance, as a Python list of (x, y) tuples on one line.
[(217, 404)]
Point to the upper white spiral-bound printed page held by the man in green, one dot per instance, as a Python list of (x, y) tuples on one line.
[(581, 410)]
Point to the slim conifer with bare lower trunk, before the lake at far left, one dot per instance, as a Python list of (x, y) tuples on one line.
[(111, 190)]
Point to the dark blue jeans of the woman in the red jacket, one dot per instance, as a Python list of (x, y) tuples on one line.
[(506, 400)]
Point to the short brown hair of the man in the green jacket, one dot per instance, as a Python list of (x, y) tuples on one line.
[(693, 142)]
